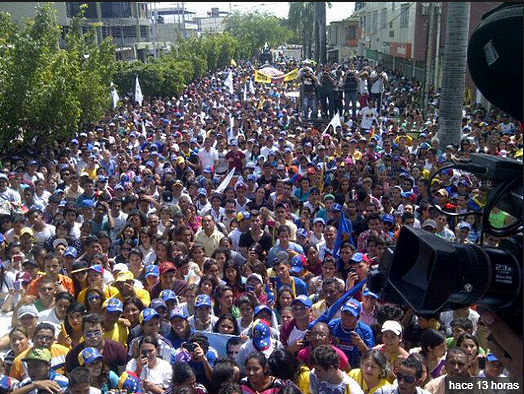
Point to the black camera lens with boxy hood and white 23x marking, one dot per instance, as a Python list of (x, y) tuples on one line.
[(432, 274)]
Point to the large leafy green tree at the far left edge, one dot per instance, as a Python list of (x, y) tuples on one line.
[(49, 92)]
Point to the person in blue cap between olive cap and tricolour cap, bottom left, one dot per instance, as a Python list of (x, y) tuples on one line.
[(102, 377)]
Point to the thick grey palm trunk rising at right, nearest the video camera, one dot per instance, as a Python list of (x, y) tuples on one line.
[(453, 73)]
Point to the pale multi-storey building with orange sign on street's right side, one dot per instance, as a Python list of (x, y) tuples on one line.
[(397, 35)]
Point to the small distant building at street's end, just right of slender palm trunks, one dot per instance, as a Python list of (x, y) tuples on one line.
[(342, 39)]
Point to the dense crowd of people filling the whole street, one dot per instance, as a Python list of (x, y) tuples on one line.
[(124, 246)]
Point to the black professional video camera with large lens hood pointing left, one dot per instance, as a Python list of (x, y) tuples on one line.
[(430, 274)]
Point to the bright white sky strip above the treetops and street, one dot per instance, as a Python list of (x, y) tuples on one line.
[(338, 11)]
